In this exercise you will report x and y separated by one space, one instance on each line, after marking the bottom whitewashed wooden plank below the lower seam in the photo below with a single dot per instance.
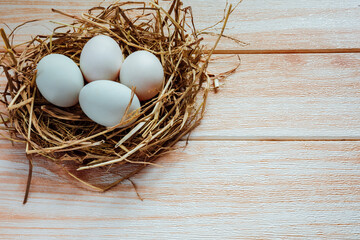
256 190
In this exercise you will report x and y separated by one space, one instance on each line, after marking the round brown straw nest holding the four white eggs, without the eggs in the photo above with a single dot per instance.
96 156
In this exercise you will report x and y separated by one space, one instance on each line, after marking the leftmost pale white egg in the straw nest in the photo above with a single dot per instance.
59 80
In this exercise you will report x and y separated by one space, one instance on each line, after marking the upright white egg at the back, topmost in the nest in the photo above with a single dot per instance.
101 58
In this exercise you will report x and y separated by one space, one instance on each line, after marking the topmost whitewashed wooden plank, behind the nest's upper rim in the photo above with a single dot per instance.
264 25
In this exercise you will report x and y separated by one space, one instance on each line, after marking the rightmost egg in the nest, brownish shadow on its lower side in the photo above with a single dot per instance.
144 71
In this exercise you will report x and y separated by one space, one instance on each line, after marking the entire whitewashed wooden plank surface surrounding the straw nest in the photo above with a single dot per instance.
276 157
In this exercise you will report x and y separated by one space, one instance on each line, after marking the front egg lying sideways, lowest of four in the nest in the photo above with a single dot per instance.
105 102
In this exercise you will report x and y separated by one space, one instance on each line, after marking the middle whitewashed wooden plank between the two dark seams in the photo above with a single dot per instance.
285 97
